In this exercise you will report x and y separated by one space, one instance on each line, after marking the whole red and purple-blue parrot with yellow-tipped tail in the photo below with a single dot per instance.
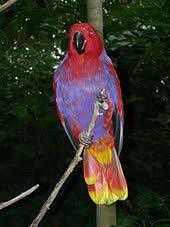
85 70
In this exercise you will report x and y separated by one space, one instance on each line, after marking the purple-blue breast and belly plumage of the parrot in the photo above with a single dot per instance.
76 99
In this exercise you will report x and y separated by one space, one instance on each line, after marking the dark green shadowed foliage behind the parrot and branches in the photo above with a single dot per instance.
33 146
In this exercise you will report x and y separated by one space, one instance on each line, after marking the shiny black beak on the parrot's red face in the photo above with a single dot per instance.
79 42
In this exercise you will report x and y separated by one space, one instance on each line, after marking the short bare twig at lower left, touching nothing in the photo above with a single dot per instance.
19 197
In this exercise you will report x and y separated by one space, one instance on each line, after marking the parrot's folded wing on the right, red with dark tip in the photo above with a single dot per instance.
118 113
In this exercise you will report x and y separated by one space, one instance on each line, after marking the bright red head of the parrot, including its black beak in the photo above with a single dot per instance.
84 41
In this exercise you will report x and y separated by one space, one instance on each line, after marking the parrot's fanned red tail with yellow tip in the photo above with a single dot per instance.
104 176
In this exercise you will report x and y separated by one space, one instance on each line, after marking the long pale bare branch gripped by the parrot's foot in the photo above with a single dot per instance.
100 103
